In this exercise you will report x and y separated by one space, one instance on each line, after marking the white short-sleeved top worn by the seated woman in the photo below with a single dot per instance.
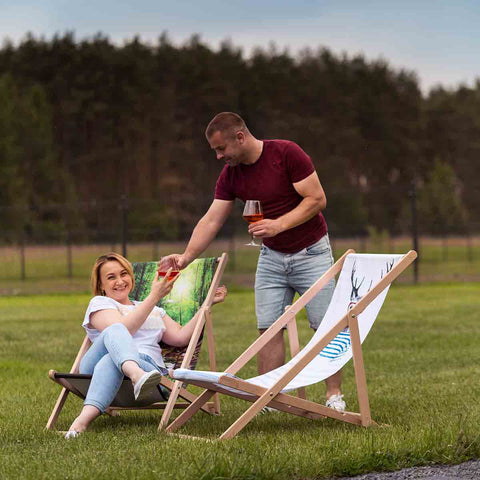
146 338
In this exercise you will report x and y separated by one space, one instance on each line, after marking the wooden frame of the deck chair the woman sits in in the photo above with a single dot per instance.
204 325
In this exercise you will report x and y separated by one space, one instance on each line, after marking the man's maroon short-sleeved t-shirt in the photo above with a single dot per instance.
270 179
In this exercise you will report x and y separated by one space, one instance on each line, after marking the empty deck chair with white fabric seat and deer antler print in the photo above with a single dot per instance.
359 294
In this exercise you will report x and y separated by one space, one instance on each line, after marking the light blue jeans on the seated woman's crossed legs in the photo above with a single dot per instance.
104 360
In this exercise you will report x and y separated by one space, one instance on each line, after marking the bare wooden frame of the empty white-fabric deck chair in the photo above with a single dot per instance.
300 406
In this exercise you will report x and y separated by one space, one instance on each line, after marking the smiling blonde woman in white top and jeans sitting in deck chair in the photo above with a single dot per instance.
125 336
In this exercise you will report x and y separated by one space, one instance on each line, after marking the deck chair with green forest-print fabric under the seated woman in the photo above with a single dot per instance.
192 294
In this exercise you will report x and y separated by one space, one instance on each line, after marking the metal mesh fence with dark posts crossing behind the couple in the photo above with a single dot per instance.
60 242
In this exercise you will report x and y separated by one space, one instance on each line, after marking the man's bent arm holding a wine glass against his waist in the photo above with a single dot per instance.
314 201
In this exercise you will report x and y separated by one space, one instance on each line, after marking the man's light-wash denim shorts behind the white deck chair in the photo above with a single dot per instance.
280 275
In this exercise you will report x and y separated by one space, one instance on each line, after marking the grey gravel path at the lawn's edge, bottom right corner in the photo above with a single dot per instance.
464 471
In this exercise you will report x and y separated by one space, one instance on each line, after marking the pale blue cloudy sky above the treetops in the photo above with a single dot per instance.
437 39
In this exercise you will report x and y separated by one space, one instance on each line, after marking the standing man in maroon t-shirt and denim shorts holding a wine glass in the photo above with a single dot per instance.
296 249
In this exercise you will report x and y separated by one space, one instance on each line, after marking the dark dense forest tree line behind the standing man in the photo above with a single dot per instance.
86 123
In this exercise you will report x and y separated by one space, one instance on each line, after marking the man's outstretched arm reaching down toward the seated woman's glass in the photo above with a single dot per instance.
203 234
